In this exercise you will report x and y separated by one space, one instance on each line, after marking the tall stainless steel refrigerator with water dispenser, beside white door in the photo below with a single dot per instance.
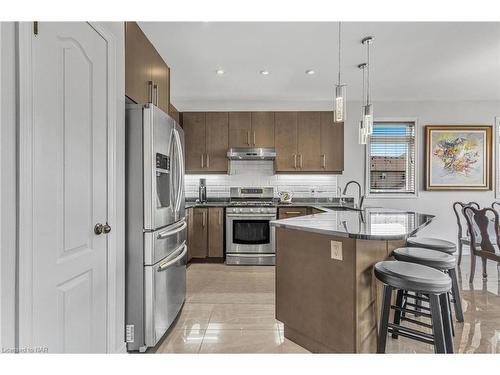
156 229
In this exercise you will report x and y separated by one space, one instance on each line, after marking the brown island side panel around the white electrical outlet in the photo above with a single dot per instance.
315 294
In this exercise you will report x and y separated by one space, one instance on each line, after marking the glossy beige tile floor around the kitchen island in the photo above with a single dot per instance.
230 309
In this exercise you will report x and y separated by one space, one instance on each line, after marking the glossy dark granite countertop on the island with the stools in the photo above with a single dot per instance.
368 224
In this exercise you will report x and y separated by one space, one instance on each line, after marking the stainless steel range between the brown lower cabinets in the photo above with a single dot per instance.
250 239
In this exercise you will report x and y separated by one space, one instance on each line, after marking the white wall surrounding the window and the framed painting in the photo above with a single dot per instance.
438 203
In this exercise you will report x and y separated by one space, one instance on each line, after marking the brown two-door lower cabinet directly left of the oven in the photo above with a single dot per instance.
205 233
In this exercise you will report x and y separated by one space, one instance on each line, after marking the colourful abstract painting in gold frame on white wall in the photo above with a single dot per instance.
458 157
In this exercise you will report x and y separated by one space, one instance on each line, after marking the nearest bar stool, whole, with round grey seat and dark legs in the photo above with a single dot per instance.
433 285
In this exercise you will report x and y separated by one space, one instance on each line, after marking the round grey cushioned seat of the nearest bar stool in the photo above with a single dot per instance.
413 277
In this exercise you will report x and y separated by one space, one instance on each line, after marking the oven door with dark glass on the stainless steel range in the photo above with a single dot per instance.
250 233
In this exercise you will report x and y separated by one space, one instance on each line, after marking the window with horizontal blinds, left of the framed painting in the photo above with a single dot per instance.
391 158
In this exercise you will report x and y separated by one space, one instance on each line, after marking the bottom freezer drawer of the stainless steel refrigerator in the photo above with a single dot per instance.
165 292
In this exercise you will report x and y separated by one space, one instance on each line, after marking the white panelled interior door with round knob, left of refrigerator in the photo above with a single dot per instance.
67 266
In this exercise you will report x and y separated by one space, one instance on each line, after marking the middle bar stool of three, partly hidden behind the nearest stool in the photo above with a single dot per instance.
438 260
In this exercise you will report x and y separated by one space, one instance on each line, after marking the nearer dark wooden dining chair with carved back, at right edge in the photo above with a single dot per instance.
483 225
